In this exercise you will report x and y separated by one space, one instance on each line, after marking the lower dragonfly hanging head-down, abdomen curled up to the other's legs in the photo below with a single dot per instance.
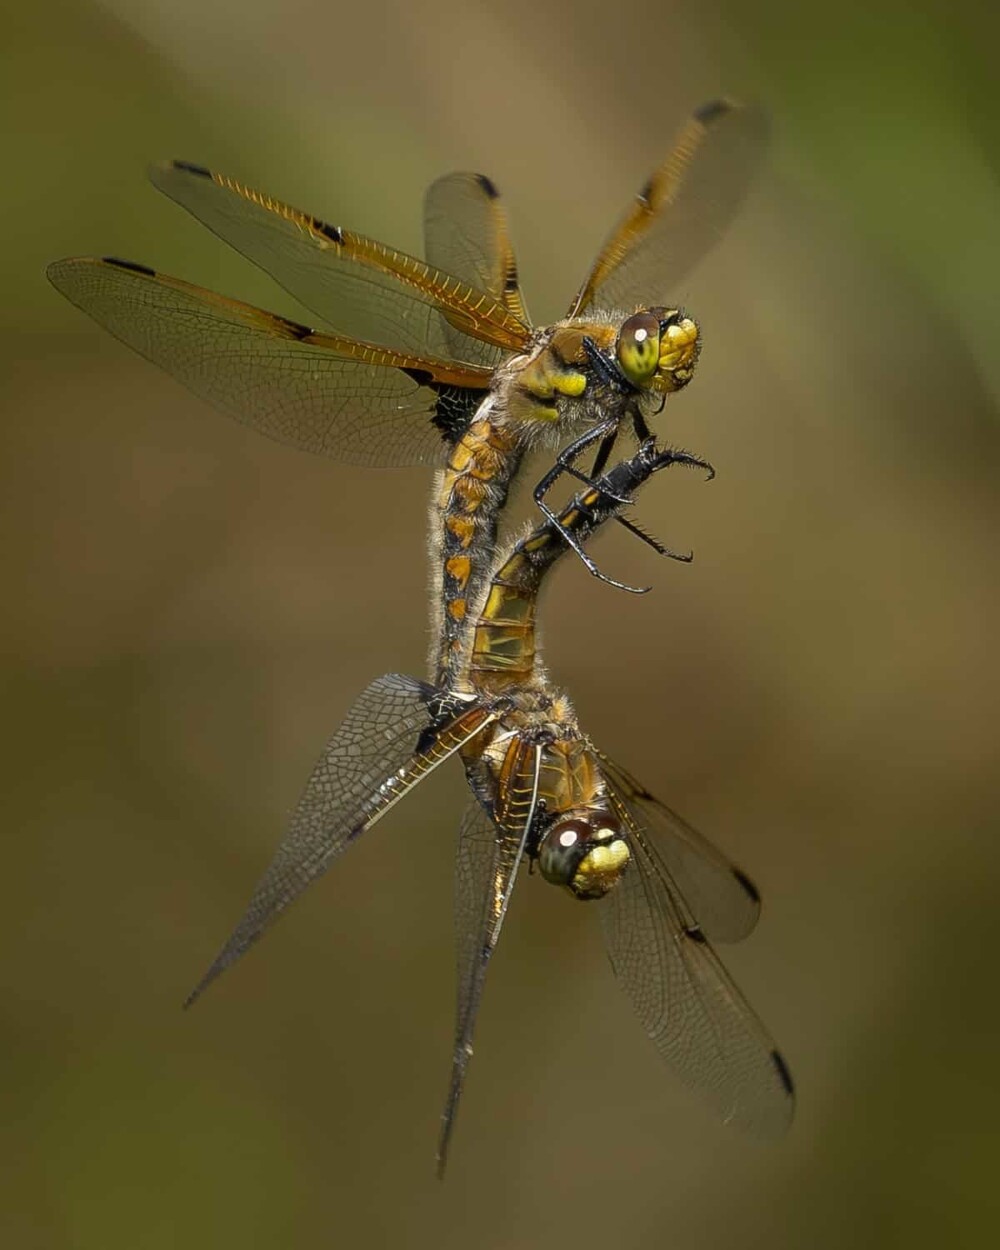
543 793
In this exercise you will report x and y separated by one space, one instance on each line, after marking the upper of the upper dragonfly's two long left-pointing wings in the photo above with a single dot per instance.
354 284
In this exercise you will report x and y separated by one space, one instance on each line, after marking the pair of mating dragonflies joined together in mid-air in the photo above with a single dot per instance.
434 362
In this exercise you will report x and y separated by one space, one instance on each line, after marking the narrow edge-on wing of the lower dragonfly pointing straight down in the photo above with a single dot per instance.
492 844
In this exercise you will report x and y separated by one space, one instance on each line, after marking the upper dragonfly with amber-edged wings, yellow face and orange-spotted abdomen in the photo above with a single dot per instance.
436 362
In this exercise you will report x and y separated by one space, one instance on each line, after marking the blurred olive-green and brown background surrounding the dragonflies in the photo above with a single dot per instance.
192 609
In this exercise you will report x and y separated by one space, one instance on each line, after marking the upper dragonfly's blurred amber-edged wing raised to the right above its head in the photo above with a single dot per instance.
682 212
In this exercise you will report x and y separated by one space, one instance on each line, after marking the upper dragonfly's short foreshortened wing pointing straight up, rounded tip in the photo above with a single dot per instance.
466 234
